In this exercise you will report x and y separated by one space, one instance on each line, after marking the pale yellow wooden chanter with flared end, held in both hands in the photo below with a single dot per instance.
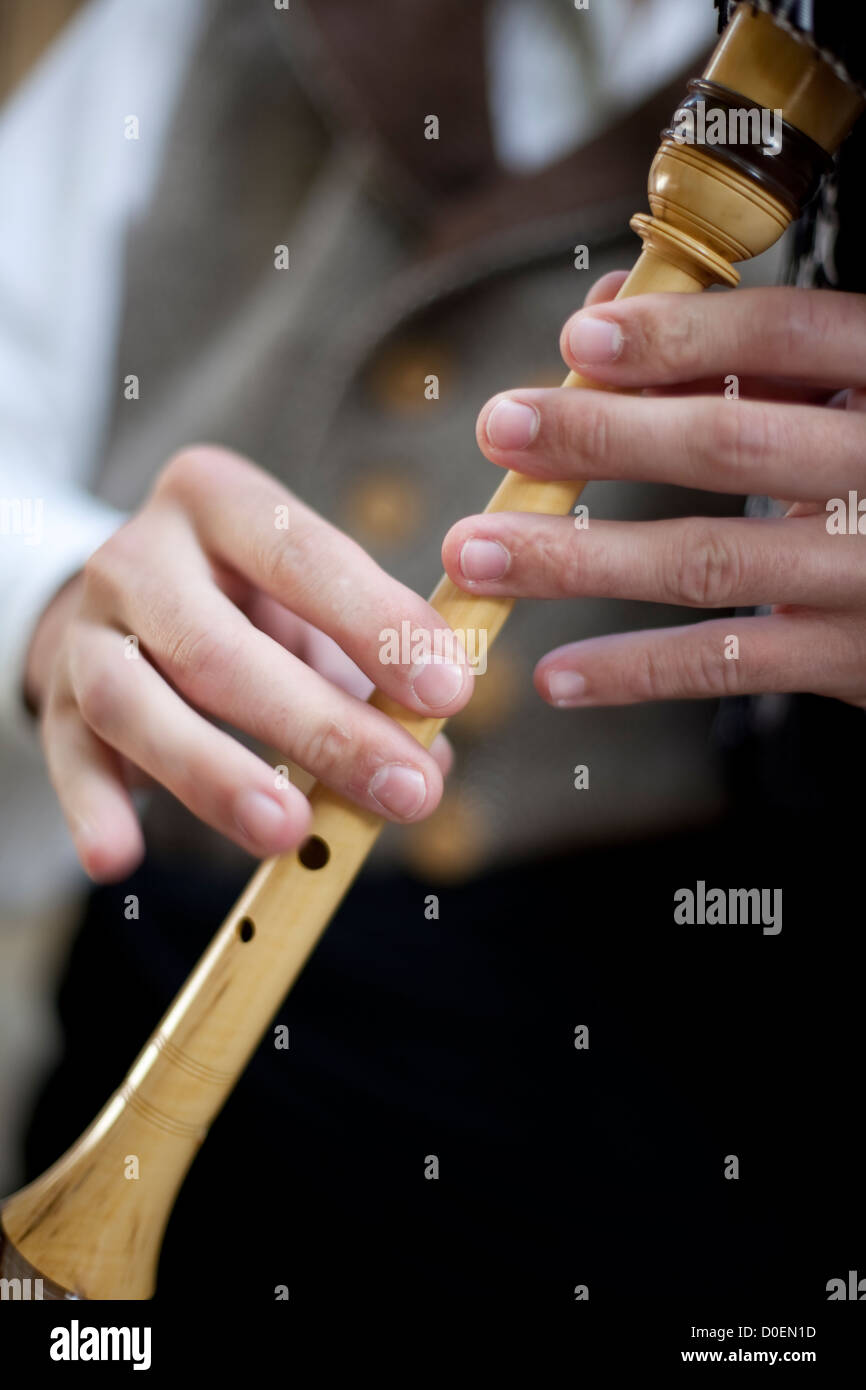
83 1227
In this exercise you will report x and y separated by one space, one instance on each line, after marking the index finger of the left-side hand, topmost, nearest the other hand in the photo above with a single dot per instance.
319 573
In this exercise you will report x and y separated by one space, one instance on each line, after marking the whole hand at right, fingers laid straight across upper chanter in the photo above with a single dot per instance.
793 351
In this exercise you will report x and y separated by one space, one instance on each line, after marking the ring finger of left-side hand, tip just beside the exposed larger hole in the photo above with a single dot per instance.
129 705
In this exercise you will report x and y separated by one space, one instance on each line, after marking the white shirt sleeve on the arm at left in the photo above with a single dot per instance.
81 148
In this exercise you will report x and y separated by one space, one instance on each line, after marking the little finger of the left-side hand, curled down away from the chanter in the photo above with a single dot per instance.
90 785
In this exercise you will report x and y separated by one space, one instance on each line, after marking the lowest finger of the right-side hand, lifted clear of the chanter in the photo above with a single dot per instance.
725 657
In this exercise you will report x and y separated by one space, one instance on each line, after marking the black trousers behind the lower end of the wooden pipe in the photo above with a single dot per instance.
455 1038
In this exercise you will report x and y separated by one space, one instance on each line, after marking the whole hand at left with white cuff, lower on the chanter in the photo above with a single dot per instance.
223 607
